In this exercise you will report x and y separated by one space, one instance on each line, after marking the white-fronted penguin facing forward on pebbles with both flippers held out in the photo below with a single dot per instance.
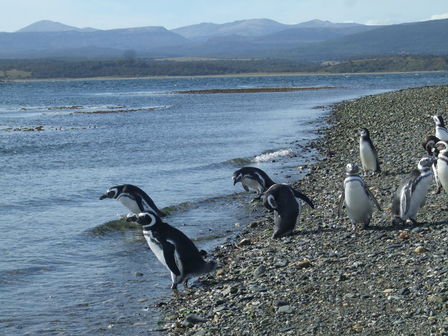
358 198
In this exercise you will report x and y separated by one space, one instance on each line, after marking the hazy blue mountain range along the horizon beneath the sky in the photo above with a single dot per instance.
314 40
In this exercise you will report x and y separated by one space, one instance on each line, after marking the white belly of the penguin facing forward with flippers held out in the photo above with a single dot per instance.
358 203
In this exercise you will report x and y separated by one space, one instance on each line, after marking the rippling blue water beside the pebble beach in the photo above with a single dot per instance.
68 267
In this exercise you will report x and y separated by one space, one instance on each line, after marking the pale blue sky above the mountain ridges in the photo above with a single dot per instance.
109 14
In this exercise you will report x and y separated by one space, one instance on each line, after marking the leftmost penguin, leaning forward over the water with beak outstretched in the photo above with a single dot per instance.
133 198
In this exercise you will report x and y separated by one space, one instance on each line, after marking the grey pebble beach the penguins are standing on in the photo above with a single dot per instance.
327 279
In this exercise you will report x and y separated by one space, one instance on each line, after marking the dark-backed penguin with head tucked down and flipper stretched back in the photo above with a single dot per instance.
285 201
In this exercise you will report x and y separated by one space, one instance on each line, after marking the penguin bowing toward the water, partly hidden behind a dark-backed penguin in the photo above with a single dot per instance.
253 179
